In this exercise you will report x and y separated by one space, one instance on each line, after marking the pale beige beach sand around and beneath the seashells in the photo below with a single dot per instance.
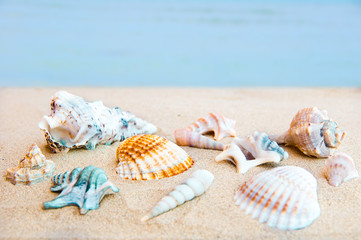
214 214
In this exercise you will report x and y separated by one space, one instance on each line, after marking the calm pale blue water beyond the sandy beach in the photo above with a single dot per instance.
180 43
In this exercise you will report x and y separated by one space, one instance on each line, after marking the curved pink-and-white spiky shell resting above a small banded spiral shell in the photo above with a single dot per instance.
216 123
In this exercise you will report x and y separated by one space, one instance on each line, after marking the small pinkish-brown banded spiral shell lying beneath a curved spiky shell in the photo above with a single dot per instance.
184 137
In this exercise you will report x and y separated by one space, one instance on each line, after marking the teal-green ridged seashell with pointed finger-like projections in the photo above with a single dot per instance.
82 187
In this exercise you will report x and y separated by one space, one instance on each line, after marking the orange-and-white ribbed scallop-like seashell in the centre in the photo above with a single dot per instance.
145 157
